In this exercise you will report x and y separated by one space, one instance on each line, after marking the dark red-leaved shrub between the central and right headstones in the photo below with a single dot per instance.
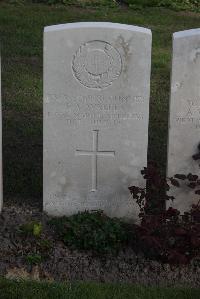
165 234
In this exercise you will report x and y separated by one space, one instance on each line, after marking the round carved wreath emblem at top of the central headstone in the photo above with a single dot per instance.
97 64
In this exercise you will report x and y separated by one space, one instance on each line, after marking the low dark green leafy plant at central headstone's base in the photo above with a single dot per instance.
91 231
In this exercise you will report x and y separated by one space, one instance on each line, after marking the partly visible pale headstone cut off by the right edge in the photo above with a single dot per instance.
184 122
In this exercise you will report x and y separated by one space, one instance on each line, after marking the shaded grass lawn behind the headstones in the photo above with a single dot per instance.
21 32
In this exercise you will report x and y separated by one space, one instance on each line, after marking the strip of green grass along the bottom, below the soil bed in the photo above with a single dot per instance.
33 290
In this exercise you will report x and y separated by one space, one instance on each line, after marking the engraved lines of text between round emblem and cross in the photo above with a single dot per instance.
96 109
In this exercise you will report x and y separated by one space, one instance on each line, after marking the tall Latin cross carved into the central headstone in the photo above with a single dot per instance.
95 153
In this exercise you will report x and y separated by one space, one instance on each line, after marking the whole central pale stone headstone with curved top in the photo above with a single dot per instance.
96 112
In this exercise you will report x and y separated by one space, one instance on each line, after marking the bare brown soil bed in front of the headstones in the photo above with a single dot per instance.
61 263
